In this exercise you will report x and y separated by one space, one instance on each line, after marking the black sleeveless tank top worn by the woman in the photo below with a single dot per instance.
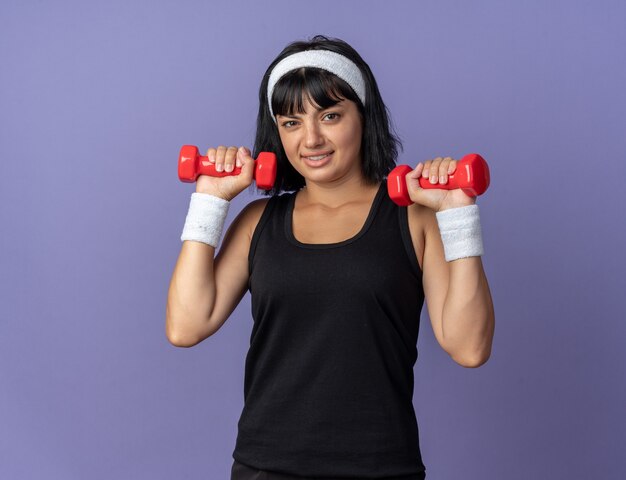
328 381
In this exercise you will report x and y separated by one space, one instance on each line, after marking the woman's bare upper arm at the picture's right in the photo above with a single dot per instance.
435 270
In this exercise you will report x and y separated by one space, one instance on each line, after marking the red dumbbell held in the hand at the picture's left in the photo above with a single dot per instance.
191 164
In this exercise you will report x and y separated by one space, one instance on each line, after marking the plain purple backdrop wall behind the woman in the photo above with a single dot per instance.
96 99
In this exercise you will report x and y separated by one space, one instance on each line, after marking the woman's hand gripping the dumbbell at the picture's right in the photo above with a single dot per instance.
437 199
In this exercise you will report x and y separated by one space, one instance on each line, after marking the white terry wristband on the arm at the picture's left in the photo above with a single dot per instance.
205 219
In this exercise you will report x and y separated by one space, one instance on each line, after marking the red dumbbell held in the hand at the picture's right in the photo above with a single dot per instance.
471 176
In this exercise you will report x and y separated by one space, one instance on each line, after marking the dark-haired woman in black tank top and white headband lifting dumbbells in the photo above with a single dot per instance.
337 272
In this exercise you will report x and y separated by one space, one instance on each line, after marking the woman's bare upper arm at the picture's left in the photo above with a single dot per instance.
231 264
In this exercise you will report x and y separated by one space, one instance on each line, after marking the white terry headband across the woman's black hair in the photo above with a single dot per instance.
333 62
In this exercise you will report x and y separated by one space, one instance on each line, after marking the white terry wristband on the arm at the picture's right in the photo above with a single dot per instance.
461 232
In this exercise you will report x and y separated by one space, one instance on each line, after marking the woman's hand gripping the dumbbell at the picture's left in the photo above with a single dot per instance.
226 159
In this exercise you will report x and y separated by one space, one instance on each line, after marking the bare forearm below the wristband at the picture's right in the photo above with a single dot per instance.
468 319
